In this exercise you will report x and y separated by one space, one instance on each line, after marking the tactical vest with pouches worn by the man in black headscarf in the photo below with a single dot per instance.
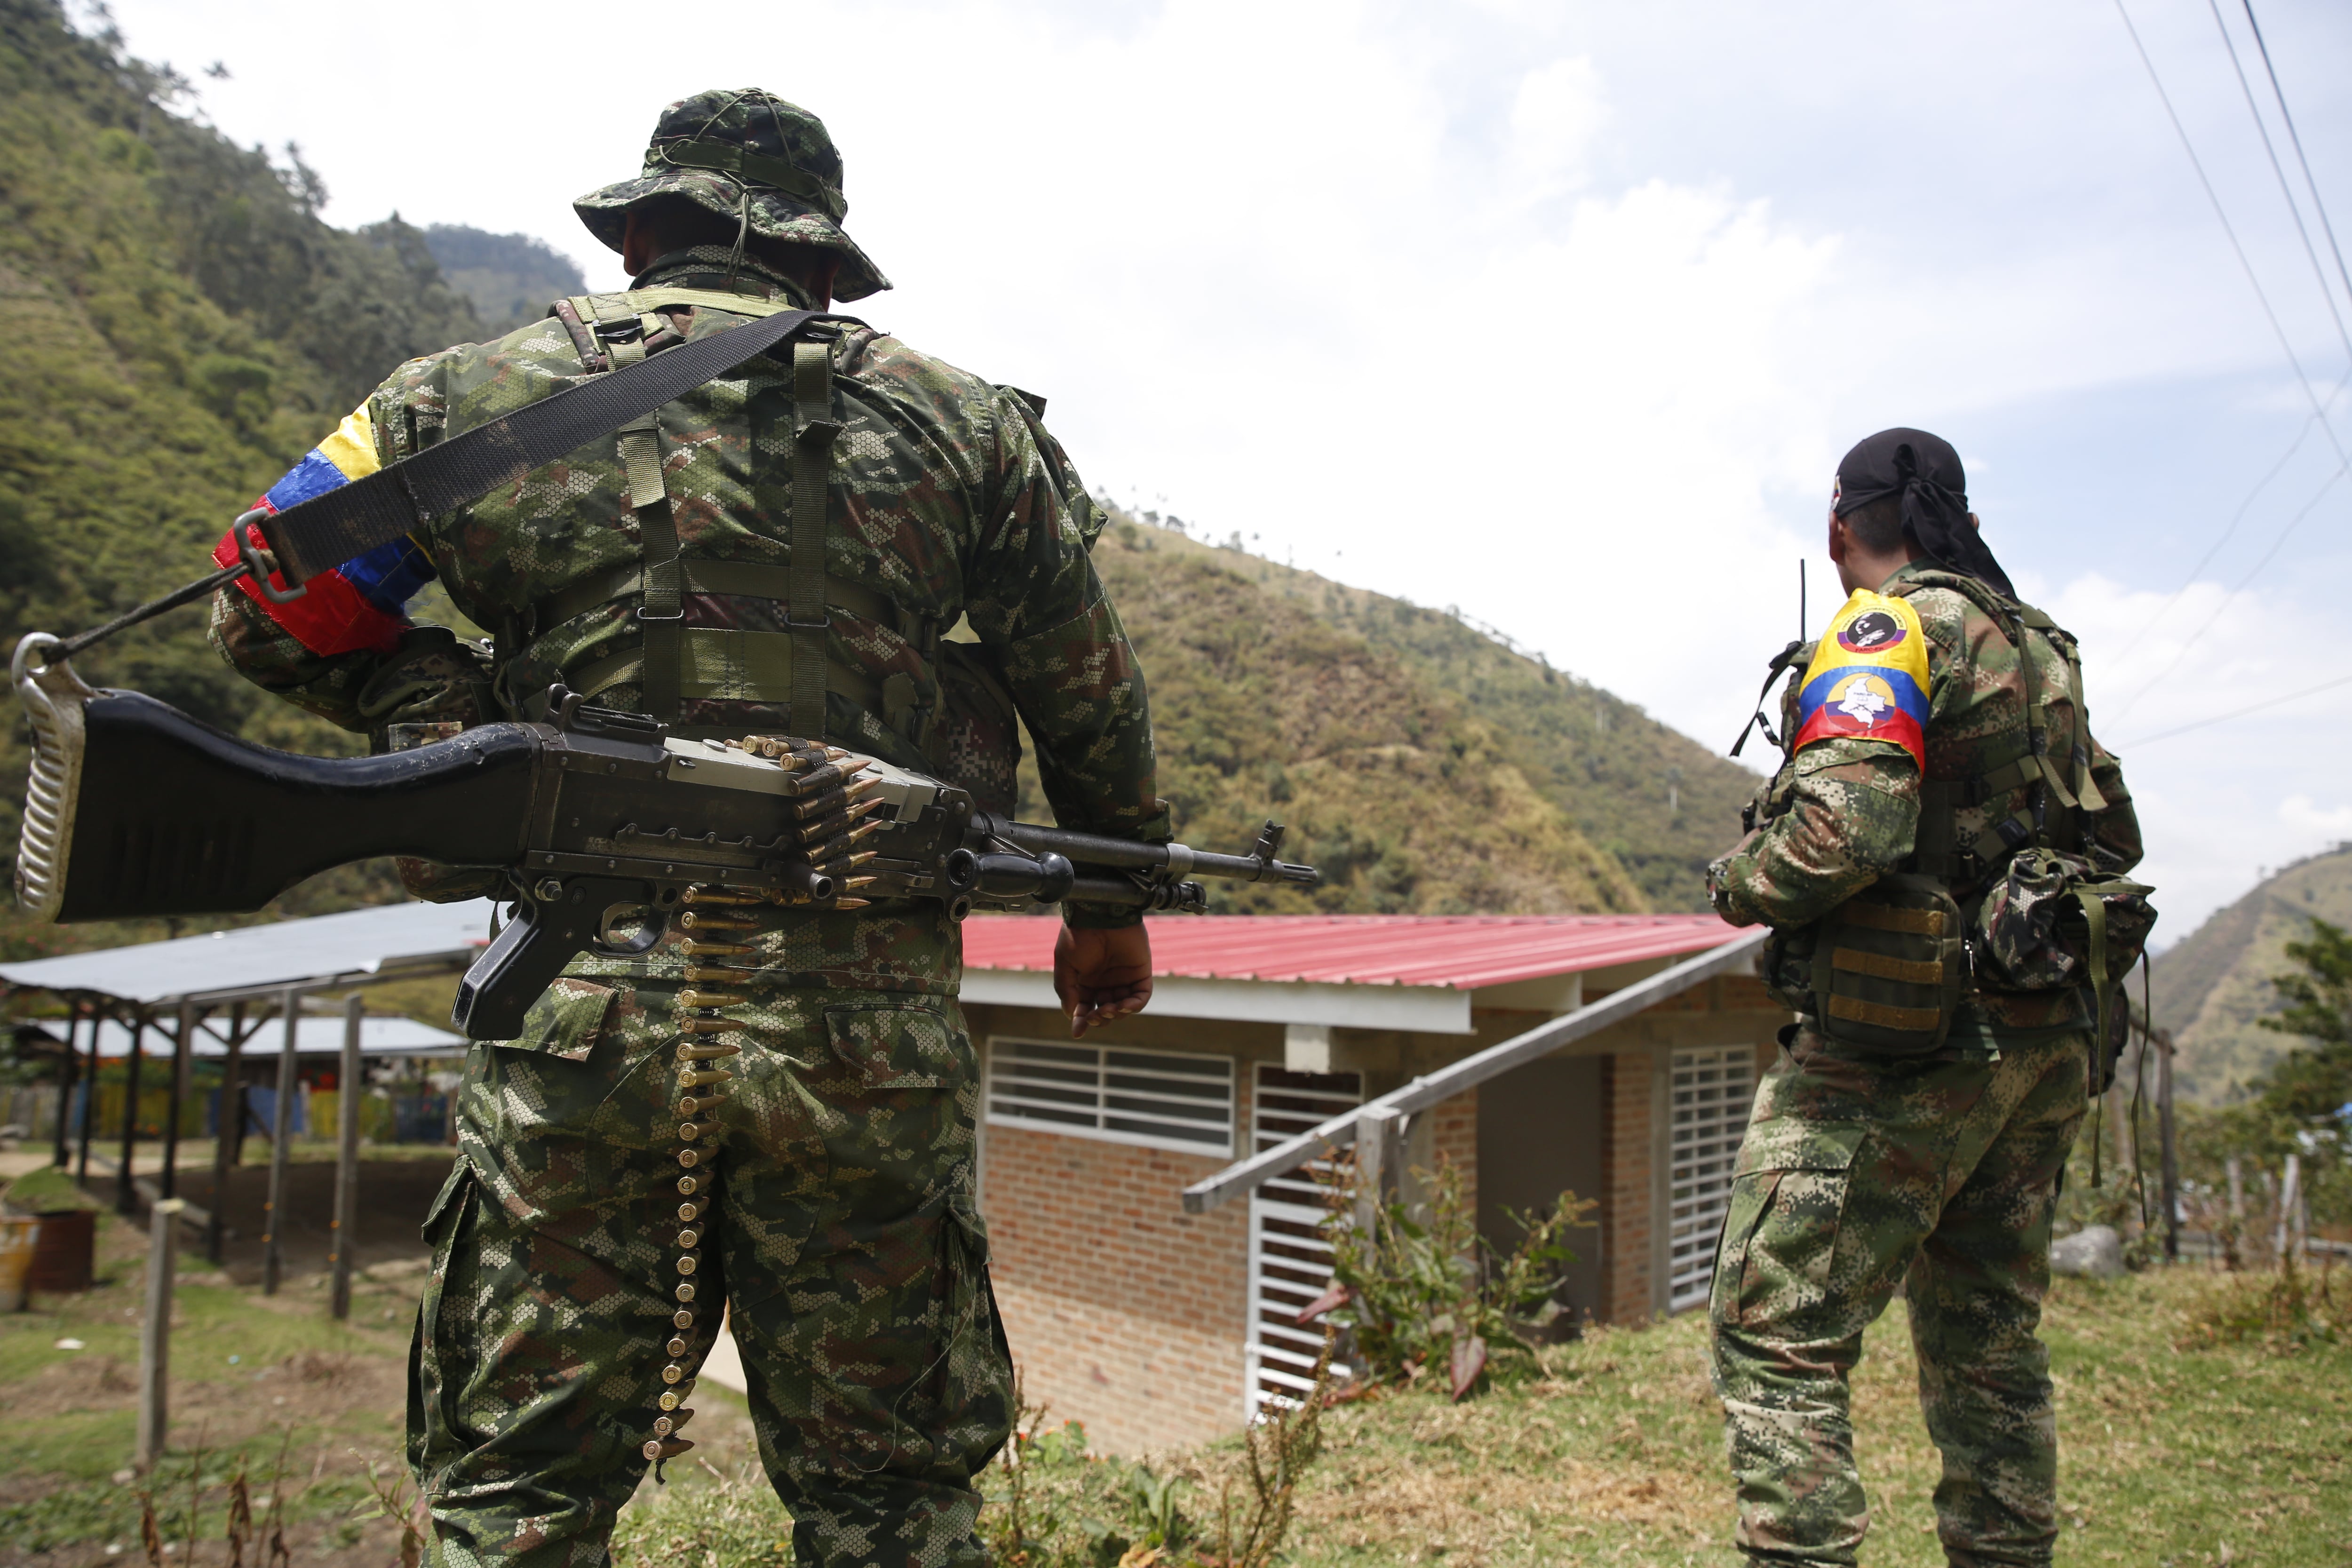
1892 965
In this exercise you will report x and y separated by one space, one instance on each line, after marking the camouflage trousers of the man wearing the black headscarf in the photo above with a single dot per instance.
1862 1177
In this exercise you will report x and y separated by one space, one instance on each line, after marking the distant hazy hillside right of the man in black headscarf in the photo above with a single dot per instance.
2212 986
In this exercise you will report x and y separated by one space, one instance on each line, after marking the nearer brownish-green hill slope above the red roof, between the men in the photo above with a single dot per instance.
1396 789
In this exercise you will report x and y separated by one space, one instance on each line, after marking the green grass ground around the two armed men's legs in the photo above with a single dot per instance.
2181 1447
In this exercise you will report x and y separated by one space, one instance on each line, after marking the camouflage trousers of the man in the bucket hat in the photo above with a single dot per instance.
615 1193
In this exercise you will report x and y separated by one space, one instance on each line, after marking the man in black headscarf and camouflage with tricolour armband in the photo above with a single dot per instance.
1942 859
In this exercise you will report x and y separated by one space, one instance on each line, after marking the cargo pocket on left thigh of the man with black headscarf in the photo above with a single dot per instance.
1789 1205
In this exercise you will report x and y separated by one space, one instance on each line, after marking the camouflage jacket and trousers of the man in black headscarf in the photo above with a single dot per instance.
1937 1174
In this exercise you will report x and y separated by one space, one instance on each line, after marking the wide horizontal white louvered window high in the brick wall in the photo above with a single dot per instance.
1158 1099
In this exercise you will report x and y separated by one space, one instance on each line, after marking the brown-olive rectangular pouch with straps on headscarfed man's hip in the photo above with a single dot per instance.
1890 967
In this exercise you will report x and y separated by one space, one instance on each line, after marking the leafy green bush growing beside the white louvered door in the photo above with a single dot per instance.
1431 1292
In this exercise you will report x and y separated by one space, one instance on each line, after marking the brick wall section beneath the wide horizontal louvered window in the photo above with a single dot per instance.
1123 1311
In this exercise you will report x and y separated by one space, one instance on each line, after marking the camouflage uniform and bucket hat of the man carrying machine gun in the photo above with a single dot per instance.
780 1120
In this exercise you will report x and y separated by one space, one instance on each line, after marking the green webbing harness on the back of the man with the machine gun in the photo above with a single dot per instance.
676 662
